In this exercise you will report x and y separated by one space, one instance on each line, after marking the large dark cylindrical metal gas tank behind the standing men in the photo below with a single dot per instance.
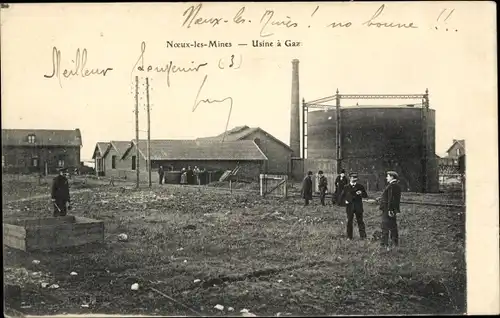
377 139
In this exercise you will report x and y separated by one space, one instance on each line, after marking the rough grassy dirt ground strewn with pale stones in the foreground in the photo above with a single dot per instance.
192 248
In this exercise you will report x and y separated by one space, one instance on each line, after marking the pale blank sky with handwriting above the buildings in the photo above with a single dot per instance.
365 60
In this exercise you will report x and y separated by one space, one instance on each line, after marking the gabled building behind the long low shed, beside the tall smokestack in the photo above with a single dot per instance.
277 152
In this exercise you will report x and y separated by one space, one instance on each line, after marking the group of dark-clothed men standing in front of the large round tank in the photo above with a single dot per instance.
350 193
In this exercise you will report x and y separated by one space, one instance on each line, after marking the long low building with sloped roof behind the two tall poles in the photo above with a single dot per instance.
177 154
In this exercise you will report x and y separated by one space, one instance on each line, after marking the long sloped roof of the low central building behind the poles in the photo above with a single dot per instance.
243 150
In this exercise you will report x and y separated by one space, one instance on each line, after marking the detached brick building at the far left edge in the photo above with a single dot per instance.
40 150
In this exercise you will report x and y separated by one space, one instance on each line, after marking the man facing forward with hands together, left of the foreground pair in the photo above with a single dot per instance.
352 195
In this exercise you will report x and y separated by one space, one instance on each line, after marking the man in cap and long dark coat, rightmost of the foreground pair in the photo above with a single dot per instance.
389 206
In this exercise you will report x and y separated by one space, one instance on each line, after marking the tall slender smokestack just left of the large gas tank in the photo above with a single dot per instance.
295 111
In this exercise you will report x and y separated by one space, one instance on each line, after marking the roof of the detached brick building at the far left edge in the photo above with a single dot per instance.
43 137
